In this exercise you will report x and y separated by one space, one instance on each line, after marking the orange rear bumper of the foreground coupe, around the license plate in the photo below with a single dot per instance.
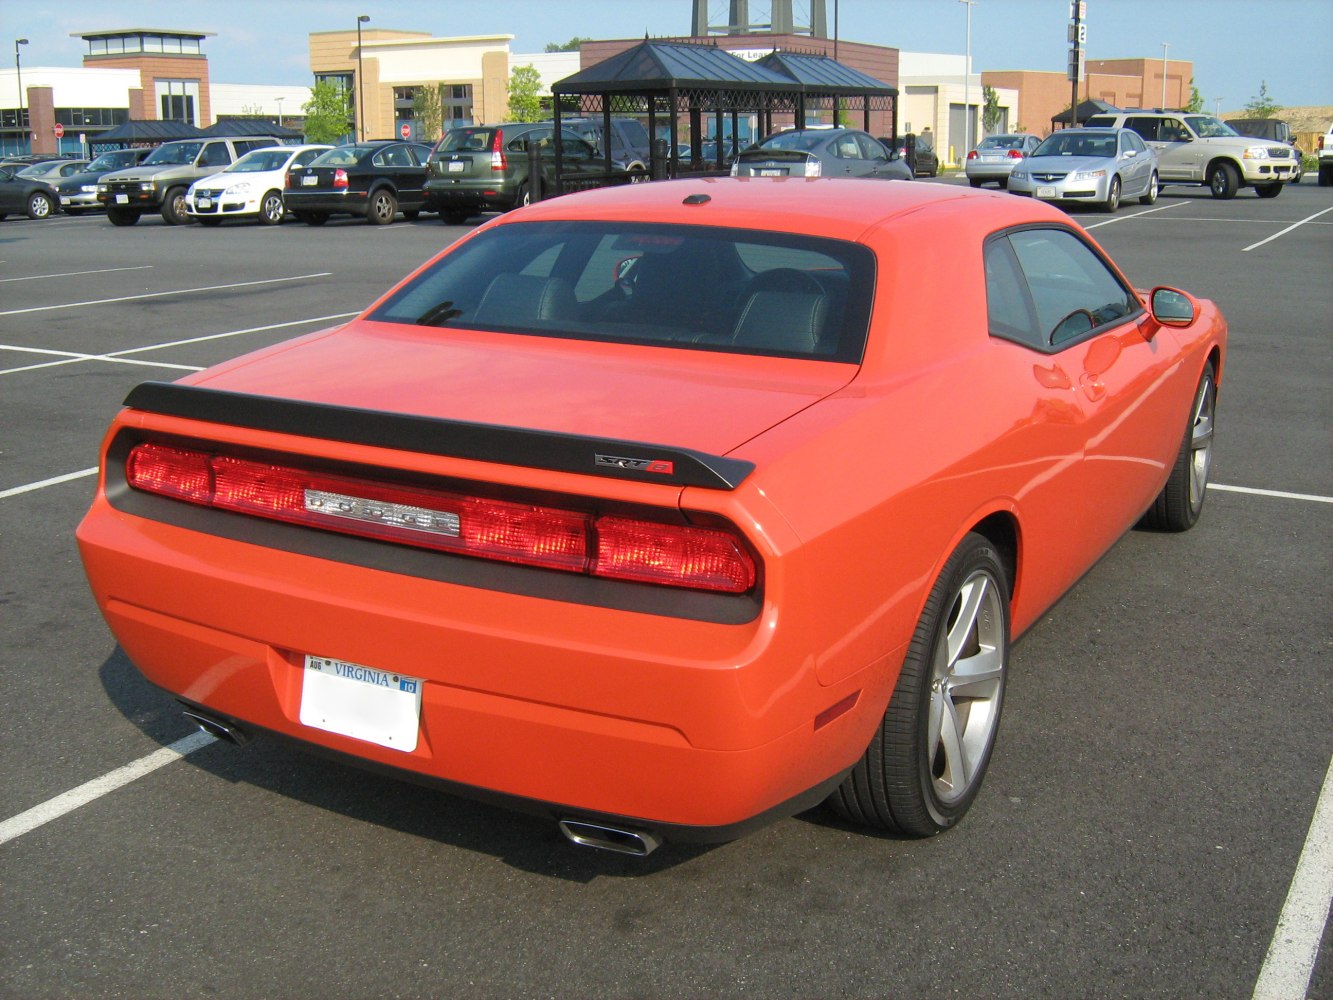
692 729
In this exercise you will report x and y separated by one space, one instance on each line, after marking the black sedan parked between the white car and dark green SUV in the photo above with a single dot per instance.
375 181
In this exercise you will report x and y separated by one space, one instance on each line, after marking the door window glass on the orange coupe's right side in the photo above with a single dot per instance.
1074 291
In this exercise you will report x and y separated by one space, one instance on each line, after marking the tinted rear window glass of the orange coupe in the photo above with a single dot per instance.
696 289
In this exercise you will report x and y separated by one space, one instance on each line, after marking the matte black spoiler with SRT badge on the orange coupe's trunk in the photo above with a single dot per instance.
591 457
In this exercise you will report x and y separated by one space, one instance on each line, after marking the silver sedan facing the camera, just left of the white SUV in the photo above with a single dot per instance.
1100 166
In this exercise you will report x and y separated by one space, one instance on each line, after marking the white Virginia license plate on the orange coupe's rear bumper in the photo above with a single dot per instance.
362 702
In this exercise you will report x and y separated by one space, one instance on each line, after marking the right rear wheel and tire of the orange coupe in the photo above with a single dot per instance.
926 765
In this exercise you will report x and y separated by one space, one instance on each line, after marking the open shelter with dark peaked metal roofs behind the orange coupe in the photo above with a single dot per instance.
671 79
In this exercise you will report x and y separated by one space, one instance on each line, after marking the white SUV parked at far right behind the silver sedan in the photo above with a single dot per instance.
1203 150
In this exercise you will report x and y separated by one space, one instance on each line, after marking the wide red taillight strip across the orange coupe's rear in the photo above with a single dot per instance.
614 547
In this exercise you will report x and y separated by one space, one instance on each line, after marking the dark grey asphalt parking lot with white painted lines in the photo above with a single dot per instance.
1152 823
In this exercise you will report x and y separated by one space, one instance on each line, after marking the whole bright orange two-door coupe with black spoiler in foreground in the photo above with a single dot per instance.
665 510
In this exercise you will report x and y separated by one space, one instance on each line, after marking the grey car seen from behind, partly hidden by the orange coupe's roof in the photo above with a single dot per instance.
820 153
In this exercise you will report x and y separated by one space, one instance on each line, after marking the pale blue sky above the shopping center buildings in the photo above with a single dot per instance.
1234 45
